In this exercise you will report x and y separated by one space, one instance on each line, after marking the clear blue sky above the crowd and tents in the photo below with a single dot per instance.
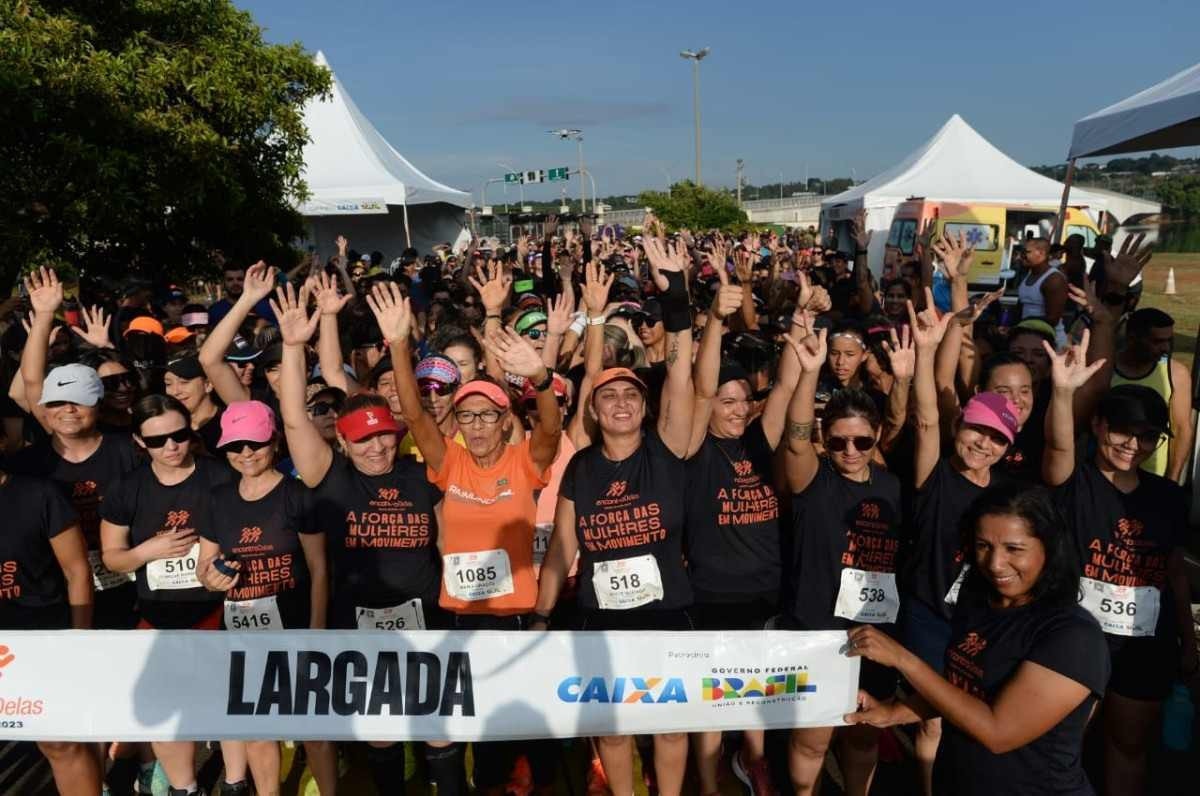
467 91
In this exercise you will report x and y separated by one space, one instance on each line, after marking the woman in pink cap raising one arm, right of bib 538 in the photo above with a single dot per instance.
946 486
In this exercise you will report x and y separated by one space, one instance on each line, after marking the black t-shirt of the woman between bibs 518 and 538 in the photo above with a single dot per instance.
733 519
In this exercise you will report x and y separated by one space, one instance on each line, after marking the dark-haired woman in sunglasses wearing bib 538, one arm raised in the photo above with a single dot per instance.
847 522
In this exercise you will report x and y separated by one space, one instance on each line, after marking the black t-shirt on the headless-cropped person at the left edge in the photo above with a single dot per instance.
34 512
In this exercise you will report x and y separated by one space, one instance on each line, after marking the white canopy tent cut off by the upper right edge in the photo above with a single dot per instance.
1162 117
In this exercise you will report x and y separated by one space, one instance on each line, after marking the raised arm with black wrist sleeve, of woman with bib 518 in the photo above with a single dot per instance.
679 404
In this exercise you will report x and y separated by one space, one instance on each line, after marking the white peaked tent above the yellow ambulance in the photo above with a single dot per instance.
957 165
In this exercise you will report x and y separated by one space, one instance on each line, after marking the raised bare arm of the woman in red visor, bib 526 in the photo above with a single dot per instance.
310 453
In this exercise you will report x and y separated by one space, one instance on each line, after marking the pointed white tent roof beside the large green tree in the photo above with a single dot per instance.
350 167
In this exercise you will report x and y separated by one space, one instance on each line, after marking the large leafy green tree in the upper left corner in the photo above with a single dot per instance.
142 136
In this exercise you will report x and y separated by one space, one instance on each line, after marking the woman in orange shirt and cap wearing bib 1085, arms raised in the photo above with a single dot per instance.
489 510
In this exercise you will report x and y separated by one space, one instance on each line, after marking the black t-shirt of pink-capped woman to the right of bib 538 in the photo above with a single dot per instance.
938 556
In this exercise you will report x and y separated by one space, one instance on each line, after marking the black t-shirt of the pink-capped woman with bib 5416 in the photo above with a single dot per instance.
265 537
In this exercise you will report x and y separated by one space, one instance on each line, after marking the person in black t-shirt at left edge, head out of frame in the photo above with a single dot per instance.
46 585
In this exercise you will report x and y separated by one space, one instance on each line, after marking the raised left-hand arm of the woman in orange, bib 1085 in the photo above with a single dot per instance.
394 314
